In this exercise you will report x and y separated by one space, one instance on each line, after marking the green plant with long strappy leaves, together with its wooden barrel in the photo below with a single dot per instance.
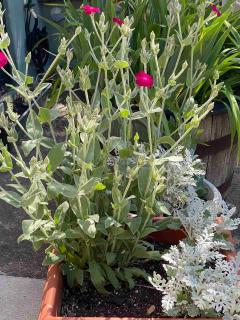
200 23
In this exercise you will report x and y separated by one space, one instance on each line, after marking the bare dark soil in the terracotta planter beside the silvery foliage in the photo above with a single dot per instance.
144 300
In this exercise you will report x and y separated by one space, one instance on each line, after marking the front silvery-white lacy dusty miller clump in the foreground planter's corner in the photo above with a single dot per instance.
200 281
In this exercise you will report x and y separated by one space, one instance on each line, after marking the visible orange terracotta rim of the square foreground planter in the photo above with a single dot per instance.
51 300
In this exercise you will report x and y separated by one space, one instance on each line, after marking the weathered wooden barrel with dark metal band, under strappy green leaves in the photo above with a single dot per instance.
216 151
